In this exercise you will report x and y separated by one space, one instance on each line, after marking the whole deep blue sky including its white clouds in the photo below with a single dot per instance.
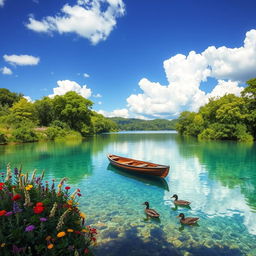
143 59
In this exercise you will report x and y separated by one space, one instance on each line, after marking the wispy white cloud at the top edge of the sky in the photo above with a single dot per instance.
91 19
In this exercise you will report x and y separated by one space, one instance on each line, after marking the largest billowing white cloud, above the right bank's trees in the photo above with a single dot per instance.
229 66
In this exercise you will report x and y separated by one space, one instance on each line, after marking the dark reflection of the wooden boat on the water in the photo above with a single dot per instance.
153 181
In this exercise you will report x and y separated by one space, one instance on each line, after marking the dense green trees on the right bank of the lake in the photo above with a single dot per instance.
226 118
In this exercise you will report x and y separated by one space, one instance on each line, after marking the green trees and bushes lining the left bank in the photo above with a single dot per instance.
63 117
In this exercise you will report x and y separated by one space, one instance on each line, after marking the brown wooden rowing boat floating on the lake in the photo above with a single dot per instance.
138 166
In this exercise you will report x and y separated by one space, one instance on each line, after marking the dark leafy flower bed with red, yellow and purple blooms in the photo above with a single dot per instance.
40 218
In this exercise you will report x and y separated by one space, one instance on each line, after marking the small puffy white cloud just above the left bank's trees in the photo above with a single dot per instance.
65 86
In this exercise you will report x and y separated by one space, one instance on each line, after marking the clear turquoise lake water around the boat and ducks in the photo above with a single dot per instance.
219 178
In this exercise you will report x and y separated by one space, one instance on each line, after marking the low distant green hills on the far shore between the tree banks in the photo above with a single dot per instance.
133 124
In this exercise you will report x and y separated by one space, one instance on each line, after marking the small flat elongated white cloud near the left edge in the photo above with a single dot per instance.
21 60
